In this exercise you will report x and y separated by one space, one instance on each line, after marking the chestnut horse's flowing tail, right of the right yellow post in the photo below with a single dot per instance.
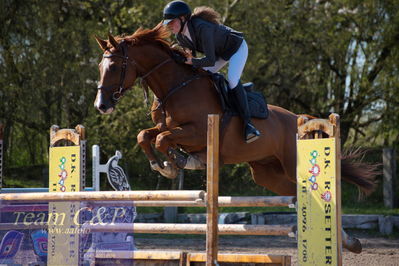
359 173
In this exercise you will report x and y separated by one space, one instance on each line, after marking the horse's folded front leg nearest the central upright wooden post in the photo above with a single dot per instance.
187 136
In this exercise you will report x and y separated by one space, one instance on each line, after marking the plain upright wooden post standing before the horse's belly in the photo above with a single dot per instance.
212 190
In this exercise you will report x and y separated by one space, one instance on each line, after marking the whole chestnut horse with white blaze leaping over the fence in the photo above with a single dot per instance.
184 96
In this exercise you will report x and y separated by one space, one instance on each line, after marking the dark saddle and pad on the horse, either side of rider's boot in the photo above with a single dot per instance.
256 101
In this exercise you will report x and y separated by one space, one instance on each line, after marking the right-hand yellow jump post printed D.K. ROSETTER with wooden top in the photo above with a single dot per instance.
319 191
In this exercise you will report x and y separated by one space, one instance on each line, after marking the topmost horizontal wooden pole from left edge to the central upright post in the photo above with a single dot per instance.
106 196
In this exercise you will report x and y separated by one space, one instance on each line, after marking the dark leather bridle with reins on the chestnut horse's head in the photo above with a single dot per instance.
125 60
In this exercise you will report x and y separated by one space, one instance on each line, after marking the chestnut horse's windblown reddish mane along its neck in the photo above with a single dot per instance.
158 35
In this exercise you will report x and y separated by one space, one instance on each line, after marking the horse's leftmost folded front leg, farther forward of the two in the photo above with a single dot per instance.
145 138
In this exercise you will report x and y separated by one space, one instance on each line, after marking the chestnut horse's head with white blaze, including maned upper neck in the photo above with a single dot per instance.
125 59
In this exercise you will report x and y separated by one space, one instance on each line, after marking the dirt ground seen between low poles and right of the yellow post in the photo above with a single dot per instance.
377 251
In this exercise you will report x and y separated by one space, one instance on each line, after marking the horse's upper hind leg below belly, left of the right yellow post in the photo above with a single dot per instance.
271 176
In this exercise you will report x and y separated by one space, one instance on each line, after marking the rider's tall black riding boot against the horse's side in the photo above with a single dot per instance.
250 132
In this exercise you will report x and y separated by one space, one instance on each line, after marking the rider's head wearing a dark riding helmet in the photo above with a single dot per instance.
175 14
